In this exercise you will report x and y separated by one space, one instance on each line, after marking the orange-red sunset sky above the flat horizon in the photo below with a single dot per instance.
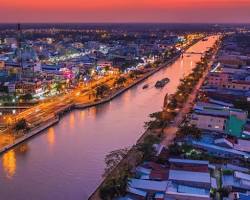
125 11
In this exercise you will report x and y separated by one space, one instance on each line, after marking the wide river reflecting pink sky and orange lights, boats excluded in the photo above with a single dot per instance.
66 161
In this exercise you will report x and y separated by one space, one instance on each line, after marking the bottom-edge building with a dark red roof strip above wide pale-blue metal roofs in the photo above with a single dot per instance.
189 180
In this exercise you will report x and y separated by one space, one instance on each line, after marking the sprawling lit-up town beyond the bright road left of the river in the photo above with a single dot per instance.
36 61
